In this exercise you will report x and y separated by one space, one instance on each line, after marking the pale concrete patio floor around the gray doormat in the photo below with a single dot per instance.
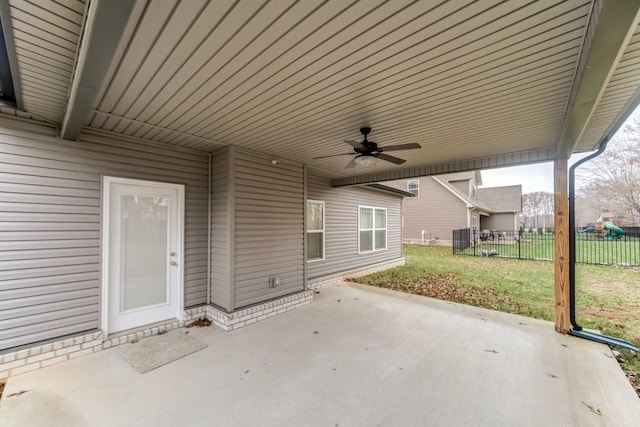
357 356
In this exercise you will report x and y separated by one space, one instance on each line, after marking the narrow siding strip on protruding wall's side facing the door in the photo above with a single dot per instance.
221 237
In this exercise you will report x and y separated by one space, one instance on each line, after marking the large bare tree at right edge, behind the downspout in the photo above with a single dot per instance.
611 181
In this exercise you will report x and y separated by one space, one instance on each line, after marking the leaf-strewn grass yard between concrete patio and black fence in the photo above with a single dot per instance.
607 297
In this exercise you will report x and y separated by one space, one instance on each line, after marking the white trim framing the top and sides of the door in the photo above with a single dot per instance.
107 182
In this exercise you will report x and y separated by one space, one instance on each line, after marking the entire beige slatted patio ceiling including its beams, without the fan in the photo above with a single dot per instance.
477 84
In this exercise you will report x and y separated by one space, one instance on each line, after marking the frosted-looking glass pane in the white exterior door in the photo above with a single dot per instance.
144 251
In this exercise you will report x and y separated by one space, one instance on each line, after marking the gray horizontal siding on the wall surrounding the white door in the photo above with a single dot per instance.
50 221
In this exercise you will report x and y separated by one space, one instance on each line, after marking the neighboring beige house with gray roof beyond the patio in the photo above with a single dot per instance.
443 203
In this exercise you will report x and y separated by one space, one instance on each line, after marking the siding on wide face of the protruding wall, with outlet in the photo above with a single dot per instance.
268 228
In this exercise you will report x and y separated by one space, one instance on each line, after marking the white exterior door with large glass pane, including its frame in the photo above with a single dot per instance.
142 253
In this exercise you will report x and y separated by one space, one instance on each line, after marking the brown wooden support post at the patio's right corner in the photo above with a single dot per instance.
561 230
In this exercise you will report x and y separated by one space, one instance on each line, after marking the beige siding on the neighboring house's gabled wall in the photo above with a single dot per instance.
437 211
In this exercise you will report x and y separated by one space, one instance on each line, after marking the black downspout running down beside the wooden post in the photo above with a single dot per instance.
576 329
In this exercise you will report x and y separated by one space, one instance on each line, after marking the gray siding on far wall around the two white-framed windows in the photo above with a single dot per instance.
341 226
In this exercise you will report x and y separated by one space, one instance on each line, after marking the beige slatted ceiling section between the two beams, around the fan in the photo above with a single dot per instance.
294 79
